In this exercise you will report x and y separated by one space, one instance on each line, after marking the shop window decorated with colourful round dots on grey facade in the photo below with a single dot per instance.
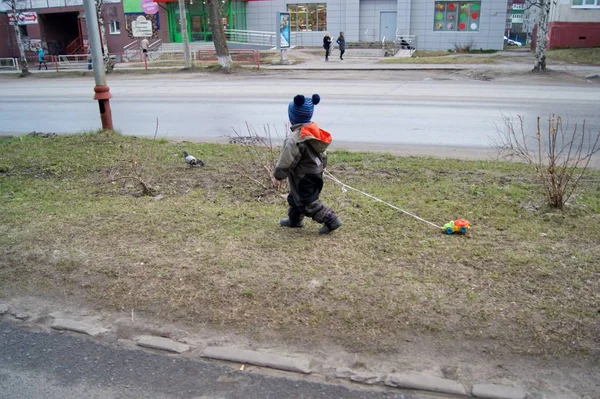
461 16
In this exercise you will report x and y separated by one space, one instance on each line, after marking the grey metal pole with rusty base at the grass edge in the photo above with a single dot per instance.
101 89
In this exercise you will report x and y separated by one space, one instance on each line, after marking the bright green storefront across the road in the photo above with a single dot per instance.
233 16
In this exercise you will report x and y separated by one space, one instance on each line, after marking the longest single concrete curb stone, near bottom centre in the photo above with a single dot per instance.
231 354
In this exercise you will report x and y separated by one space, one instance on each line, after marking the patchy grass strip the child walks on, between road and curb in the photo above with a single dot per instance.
211 249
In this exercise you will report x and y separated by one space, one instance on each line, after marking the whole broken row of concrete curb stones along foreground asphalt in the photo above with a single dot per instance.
90 325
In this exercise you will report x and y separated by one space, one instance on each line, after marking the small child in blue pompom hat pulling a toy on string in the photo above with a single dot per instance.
302 161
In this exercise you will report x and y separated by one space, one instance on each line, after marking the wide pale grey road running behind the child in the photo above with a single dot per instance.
462 113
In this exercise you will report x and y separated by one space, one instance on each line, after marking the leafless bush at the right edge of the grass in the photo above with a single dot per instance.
561 158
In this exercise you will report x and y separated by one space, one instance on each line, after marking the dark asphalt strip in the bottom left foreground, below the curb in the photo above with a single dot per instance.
37 365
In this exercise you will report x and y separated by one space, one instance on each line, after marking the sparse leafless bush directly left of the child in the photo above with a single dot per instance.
262 154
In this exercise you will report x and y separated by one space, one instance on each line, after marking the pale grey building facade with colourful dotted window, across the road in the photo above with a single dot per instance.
439 25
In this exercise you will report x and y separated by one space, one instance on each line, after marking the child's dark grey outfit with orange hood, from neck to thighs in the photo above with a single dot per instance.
302 161
